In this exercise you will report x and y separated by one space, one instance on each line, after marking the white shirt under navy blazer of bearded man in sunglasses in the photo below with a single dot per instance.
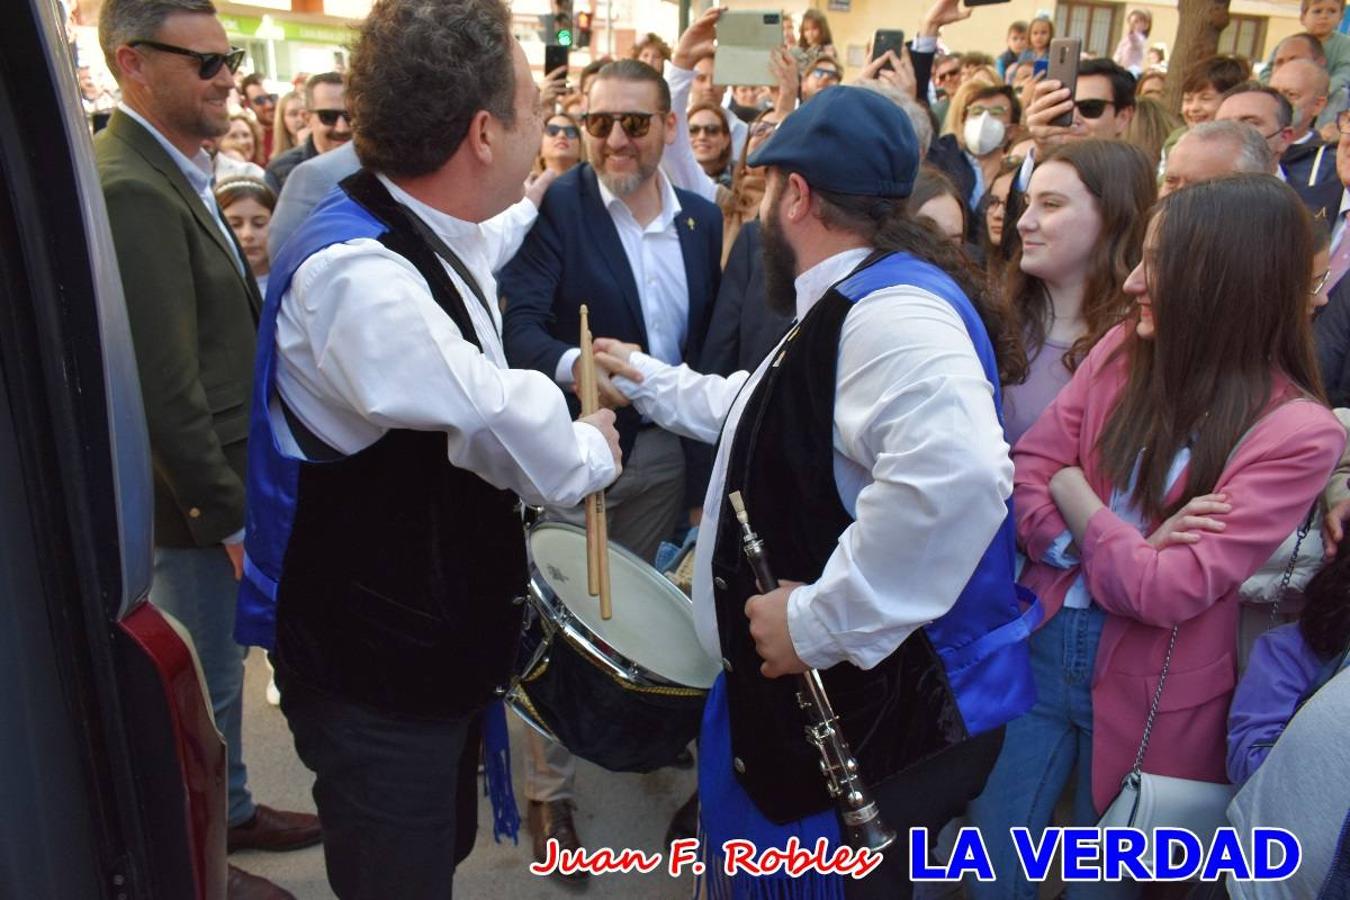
658 265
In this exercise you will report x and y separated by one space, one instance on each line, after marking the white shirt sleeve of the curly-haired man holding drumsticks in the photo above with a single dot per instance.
384 350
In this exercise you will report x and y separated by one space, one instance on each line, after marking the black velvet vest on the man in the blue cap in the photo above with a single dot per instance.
782 461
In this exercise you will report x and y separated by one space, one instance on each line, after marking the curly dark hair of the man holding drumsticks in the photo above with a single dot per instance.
421 72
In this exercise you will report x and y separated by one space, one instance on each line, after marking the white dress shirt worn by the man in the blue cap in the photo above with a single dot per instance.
920 463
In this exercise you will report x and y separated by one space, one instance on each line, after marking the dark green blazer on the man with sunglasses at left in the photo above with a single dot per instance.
194 323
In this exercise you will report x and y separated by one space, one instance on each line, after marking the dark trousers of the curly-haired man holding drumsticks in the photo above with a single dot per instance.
396 797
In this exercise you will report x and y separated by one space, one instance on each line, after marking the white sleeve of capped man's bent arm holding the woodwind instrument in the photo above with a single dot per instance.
913 408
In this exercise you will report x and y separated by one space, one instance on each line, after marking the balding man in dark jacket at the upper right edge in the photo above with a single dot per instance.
1309 163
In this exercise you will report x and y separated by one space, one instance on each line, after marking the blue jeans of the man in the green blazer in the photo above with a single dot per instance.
198 588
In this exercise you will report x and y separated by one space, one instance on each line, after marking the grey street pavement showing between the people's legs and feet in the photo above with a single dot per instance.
614 810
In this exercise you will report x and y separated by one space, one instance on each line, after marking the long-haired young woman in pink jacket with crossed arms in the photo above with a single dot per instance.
1187 447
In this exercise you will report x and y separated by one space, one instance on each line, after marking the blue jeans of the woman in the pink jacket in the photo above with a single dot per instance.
1040 751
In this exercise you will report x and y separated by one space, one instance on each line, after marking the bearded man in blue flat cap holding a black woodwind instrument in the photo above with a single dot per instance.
897 573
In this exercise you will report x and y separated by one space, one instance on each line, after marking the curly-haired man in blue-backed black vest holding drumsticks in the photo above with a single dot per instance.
391 446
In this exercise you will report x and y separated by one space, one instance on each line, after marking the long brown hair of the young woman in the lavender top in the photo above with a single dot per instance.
1121 180
